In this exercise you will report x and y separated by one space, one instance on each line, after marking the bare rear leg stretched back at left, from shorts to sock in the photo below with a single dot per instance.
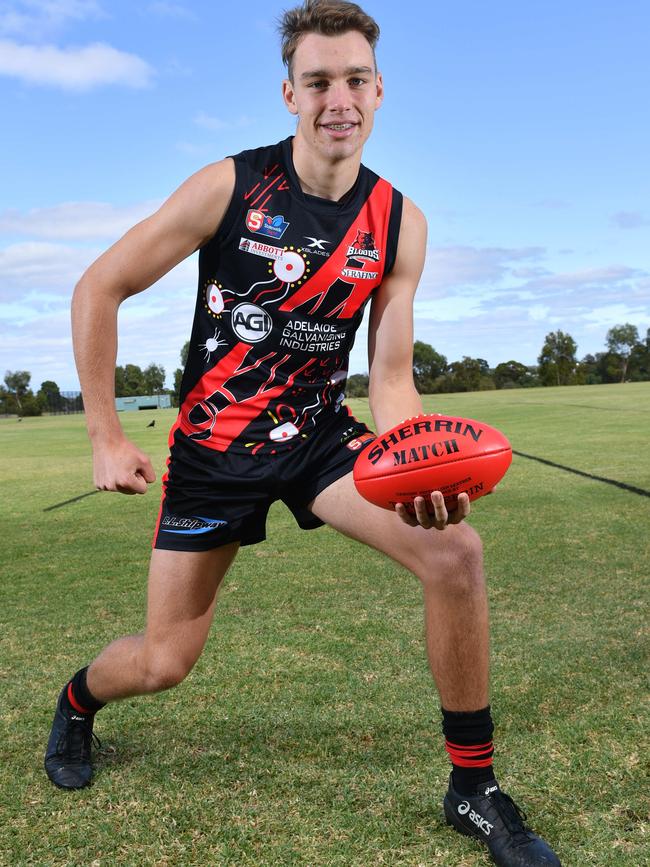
181 597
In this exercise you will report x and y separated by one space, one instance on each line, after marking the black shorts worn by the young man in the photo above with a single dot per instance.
213 498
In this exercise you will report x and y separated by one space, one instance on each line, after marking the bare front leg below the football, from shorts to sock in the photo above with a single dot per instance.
449 565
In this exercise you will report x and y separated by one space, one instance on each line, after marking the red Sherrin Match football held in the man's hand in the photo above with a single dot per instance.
432 453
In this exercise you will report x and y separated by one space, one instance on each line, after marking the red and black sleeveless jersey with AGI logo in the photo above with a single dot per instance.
282 288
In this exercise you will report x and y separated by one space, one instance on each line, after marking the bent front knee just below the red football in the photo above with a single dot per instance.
453 561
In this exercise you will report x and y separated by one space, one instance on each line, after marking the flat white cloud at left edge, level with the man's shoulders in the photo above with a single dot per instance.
76 221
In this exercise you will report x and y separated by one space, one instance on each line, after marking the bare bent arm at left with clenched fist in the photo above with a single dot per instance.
148 251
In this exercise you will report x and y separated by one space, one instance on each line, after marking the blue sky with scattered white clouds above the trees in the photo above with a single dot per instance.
521 129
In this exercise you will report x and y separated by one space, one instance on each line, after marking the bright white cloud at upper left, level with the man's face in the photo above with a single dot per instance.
78 69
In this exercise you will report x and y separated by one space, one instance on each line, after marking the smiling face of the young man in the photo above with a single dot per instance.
335 93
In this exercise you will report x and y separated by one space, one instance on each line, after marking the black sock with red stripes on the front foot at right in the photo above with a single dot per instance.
468 740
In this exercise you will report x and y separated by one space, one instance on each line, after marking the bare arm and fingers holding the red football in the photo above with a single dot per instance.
393 396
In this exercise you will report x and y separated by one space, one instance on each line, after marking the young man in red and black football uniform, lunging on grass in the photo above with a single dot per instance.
295 238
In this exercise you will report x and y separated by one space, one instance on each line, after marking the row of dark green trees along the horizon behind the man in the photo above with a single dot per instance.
626 357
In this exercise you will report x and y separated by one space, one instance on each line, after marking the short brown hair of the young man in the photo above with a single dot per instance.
327 17
